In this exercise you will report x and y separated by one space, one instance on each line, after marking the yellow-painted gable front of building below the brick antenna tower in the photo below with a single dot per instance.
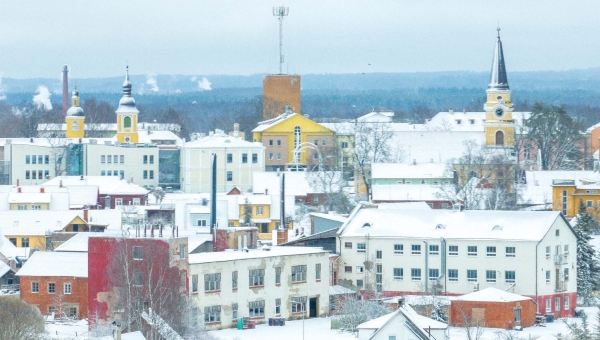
286 128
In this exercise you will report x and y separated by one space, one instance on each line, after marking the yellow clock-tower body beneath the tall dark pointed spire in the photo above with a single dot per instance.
499 126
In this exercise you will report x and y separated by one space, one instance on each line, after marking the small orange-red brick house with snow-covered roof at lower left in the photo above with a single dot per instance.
56 282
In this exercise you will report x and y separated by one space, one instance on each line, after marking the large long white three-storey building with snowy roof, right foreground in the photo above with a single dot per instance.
402 252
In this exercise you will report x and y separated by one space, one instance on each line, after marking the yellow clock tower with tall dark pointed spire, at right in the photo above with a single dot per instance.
499 126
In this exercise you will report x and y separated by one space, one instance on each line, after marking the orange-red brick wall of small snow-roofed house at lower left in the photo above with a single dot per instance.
43 300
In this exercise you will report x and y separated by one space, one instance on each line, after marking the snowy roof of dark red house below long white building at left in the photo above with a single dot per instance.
107 185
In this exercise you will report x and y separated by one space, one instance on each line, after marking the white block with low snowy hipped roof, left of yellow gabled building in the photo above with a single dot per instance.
237 159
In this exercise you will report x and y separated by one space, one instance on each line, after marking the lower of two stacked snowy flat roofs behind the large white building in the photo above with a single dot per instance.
406 192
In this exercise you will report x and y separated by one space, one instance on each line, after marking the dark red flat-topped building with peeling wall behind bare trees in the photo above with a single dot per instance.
132 274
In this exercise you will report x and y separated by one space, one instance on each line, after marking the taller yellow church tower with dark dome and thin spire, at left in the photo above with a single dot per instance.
127 115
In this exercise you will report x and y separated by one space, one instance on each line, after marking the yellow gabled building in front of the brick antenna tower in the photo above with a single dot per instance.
294 141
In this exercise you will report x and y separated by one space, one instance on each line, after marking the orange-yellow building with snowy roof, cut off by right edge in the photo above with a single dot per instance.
568 193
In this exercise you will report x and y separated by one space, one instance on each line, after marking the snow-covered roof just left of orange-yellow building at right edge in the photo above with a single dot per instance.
538 186
